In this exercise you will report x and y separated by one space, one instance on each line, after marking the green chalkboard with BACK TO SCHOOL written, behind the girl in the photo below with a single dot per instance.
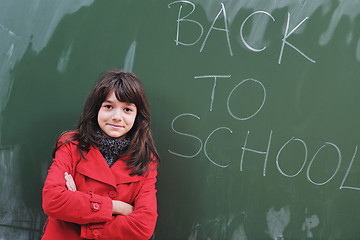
255 109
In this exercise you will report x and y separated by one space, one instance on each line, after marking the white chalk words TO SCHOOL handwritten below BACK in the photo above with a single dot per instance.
245 148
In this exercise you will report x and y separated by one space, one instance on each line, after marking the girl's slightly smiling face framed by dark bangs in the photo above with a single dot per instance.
116 118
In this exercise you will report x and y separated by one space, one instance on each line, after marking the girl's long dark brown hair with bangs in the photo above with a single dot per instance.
127 88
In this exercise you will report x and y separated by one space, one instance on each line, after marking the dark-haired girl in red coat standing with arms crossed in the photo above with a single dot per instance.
101 184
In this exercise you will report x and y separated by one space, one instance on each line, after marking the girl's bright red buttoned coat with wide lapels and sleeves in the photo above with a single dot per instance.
87 212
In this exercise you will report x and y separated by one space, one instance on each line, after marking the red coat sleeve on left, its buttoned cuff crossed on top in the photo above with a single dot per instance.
63 204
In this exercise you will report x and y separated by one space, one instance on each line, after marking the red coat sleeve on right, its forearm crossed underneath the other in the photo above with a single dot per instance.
140 224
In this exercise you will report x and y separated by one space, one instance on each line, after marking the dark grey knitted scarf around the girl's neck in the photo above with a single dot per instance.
111 148
